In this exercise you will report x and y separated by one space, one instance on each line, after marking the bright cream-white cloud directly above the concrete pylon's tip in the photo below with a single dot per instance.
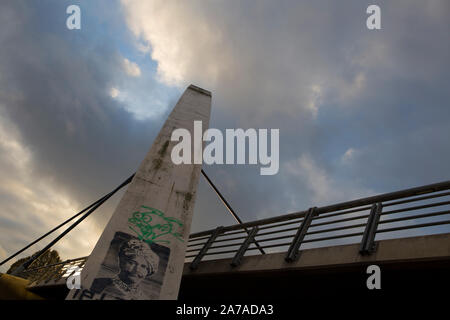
183 40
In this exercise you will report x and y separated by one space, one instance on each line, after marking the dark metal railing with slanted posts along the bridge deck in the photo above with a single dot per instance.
410 212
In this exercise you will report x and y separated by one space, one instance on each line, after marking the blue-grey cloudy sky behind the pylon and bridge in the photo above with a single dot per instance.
360 112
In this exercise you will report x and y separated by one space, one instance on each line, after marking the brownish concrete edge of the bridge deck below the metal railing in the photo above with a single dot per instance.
415 249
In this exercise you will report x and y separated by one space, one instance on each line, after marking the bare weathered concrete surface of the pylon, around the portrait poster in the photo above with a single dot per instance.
158 184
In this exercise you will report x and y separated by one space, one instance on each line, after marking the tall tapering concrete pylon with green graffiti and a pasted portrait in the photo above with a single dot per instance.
140 254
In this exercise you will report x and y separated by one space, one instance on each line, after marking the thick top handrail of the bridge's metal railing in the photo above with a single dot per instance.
445 185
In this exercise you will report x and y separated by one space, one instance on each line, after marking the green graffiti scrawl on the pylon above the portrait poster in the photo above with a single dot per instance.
151 225
